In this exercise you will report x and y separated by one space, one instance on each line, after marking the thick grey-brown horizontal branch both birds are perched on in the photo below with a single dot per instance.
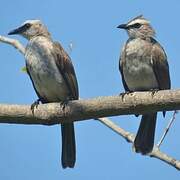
52 113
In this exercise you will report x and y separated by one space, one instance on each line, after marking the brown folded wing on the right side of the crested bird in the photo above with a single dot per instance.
160 66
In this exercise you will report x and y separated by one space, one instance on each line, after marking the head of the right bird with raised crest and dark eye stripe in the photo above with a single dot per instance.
139 27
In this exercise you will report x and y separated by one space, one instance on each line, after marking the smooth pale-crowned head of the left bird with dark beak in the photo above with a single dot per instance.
30 29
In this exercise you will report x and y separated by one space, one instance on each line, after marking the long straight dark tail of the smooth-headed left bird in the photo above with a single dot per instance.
68 157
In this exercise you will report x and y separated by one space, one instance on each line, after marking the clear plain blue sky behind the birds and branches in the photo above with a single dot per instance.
33 152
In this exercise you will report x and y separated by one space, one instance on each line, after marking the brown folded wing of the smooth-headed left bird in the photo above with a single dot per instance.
66 68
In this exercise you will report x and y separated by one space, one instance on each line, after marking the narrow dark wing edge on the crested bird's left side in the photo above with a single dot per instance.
121 64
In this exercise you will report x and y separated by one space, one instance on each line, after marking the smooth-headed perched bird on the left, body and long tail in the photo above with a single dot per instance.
53 77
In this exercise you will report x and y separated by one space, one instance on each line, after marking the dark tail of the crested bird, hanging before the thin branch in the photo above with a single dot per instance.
144 140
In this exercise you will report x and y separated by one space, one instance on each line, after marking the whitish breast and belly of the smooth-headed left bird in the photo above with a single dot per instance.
45 75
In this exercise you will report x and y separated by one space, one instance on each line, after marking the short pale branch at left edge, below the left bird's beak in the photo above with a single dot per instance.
13 42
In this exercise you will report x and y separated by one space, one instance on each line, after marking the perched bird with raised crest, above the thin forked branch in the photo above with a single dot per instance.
143 66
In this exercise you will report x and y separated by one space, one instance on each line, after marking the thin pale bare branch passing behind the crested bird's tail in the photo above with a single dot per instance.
156 153
